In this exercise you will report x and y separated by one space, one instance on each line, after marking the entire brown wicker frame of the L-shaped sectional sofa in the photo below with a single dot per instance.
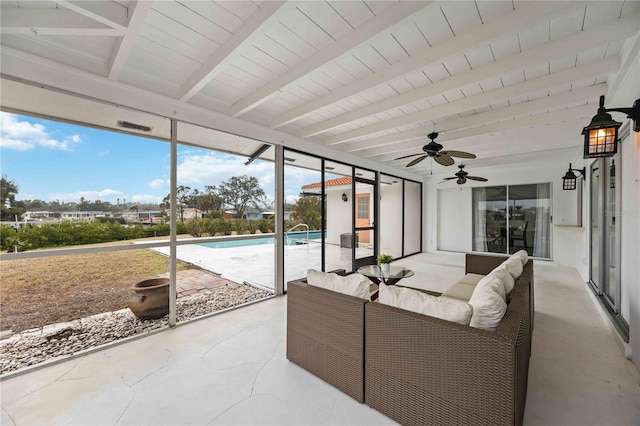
414 368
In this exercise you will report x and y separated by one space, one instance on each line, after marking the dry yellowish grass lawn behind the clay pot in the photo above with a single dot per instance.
37 292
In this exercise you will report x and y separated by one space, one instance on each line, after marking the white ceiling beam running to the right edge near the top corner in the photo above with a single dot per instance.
617 29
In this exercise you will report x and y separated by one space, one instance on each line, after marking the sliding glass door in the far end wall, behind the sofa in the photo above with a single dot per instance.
511 218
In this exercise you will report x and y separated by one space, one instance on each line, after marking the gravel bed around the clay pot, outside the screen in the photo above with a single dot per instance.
35 346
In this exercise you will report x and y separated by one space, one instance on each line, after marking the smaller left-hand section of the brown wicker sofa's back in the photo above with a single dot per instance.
325 335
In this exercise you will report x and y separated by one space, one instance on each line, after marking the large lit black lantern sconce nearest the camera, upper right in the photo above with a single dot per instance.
601 135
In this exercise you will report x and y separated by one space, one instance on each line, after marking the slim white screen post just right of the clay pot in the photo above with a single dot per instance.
173 248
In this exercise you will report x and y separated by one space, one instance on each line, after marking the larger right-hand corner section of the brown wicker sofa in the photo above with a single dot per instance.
423 370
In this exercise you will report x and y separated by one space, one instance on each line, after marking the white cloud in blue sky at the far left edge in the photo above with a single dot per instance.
23 136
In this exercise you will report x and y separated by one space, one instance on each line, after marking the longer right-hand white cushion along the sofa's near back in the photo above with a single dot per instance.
453 310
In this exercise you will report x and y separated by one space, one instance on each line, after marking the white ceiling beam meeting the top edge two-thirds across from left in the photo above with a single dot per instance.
386 21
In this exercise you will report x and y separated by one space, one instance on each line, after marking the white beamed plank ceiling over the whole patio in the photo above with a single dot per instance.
502 79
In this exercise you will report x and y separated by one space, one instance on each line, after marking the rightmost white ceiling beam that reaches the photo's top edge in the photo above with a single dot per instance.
475 36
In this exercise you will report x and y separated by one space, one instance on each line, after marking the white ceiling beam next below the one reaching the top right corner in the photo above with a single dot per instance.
549 81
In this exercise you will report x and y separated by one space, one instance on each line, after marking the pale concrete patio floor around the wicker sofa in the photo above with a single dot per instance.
231 368
